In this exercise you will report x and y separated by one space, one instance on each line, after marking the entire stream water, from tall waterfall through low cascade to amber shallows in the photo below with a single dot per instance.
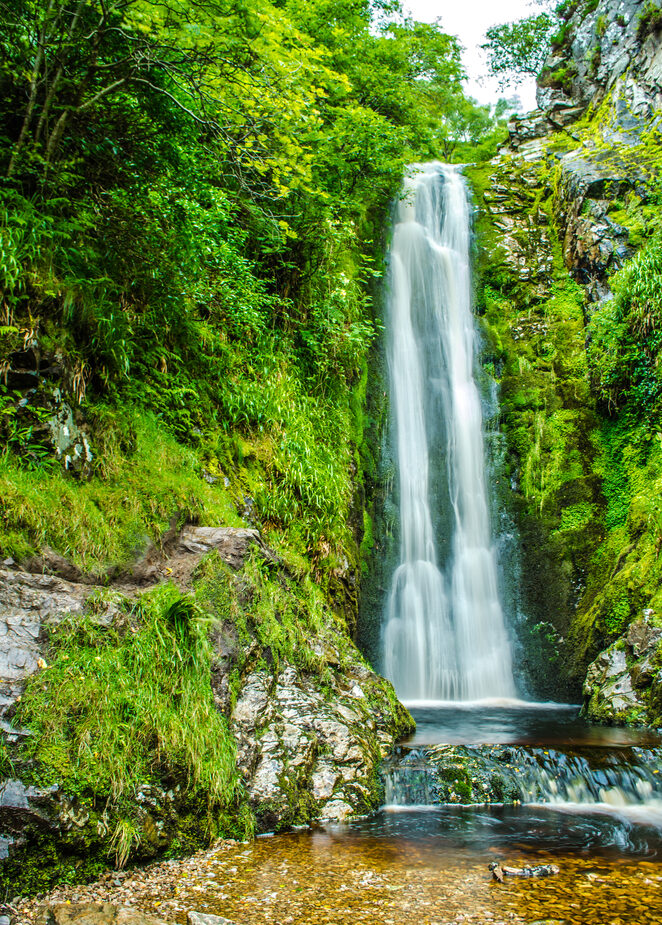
486 776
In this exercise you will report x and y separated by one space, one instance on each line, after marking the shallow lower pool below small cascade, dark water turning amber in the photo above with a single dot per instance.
430 867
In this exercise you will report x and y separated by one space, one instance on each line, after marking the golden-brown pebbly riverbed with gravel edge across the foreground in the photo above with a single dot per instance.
340 878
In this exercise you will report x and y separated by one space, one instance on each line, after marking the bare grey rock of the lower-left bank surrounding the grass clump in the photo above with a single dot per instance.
309 744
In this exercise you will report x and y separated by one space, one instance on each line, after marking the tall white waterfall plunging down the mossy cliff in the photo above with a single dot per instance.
444 636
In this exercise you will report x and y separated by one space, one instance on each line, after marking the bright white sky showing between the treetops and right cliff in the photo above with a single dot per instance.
469 19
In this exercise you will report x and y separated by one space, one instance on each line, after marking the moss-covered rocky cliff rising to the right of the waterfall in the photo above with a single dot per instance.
569 214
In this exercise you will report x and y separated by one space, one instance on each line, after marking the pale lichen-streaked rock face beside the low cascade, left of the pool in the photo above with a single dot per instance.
321 748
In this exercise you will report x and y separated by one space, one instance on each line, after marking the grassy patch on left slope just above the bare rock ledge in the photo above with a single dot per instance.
127 502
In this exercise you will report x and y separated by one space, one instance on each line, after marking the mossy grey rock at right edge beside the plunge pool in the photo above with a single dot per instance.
624 683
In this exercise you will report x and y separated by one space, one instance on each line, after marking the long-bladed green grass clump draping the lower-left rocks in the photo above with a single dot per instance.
118 709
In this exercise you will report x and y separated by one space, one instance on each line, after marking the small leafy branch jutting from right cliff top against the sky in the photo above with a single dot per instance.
518 50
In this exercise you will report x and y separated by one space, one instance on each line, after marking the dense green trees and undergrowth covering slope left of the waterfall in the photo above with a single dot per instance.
190 202
